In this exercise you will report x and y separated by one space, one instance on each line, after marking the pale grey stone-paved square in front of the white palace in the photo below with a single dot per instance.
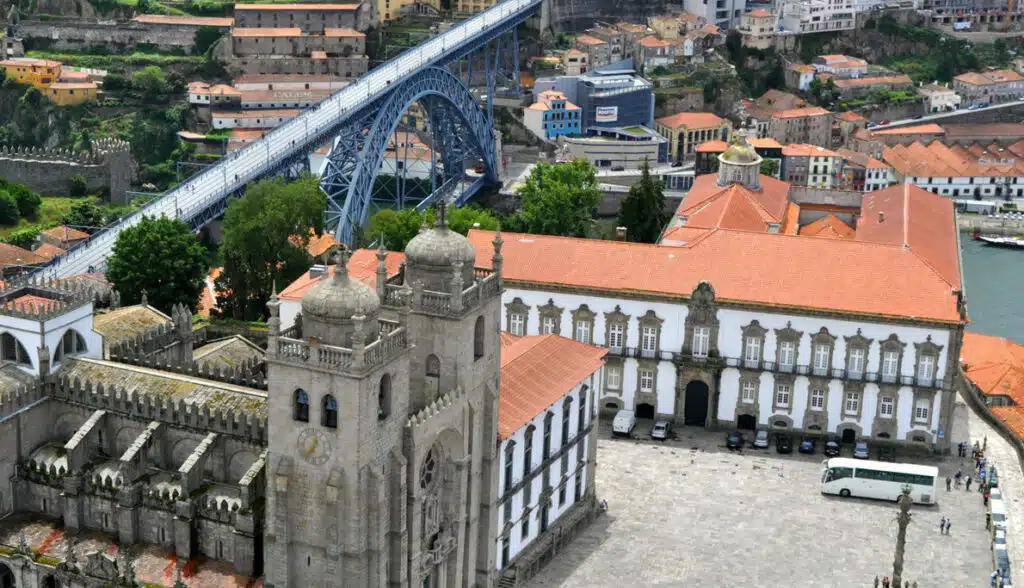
689 513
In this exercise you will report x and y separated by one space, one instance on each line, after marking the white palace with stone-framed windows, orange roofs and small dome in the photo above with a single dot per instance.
743 317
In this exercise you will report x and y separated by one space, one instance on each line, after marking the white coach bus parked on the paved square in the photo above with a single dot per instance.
879 480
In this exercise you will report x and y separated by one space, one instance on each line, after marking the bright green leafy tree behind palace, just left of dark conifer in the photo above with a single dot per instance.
560 199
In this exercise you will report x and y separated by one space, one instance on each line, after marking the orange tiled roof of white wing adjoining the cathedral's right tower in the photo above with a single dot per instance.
537 371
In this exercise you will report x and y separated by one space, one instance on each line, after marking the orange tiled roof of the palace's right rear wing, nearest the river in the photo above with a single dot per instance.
915 220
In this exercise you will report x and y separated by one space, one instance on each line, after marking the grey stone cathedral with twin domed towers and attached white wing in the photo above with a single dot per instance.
389 436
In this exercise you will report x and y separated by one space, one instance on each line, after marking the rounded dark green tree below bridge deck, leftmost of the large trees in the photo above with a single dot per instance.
162 258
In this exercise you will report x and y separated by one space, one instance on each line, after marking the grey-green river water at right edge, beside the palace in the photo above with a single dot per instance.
995 286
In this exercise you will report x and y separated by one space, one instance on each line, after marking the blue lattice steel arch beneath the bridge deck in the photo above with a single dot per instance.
355 159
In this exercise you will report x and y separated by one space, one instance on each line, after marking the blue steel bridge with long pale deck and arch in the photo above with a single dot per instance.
359 122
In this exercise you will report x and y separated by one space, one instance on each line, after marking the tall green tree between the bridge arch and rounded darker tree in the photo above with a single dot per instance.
266 236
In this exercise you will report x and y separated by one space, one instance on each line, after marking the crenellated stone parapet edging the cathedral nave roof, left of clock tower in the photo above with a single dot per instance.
232 422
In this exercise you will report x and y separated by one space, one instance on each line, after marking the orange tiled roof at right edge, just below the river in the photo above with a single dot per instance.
995 365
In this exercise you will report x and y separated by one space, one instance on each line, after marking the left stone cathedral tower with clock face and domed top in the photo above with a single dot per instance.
337 409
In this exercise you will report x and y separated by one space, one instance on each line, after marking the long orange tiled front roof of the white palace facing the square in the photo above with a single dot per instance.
771 270
